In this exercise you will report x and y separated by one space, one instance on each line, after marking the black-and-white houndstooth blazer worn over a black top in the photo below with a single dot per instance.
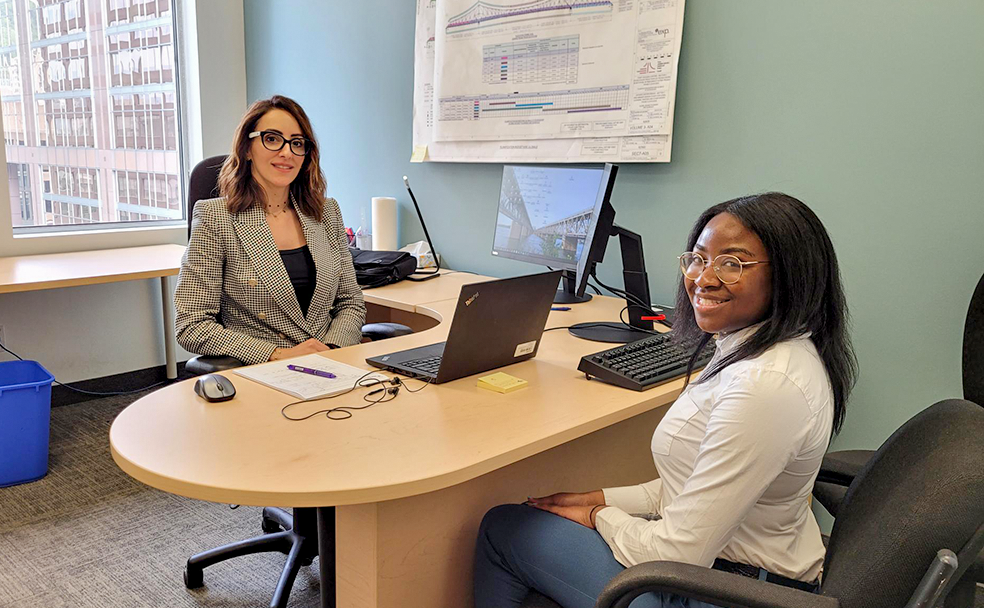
234 296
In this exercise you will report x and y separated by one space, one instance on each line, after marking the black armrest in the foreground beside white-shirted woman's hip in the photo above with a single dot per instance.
714 586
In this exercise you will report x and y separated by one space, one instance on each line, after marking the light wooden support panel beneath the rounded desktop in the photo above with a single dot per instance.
419 550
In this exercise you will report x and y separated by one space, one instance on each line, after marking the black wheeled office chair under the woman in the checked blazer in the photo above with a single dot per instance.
294 535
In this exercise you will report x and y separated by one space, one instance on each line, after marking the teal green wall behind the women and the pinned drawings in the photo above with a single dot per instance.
871 112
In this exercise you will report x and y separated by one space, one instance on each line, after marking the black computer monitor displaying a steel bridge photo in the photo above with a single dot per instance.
546 216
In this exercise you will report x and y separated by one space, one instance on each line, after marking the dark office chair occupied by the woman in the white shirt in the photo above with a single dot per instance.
916 501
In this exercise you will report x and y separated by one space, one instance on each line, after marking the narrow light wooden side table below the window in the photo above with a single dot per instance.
36 272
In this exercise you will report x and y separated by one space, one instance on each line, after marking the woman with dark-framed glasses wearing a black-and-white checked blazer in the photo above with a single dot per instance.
267 273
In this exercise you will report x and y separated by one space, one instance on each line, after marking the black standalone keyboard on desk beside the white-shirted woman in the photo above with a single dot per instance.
642 364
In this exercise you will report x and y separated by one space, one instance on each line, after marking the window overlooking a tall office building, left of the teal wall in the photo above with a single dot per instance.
90 116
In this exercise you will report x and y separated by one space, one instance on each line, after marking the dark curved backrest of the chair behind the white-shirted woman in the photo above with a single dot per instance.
921 492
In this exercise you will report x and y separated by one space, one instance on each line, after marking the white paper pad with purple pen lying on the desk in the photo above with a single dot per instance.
307 386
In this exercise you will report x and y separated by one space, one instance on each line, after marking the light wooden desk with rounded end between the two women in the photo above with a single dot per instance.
411 478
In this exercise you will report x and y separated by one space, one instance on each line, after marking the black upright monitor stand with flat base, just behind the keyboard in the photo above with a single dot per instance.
636 286
